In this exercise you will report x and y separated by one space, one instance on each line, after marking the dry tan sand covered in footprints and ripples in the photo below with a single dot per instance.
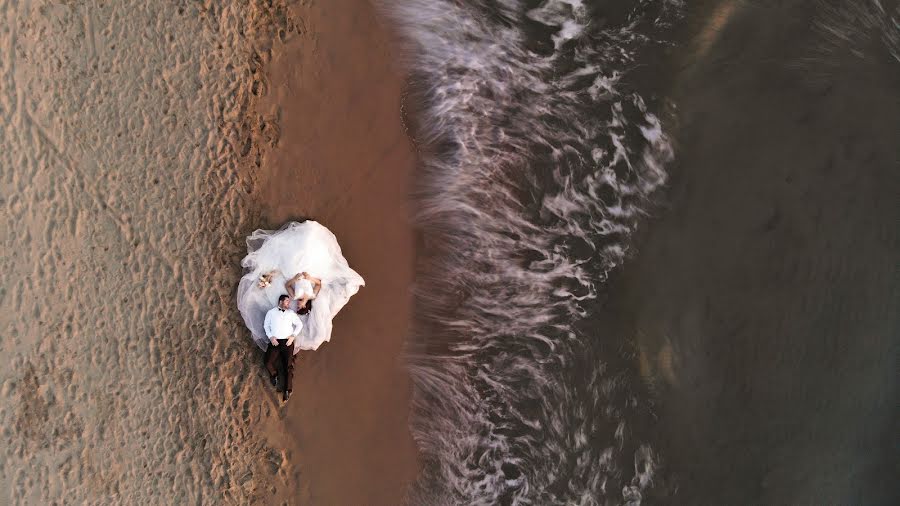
127 147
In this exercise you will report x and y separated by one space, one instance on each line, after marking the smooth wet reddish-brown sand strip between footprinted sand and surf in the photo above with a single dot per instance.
344 160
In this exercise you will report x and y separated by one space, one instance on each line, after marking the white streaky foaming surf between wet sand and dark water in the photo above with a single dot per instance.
539 158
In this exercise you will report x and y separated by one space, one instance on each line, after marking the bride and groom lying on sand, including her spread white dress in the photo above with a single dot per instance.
283 324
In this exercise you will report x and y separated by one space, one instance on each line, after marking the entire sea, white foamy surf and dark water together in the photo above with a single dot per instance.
659 251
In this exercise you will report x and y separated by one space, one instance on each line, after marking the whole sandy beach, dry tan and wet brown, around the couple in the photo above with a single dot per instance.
130 154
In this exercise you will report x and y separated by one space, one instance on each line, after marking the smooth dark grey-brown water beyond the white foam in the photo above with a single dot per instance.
771 274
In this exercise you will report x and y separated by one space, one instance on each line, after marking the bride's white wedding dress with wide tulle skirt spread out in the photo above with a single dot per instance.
296 247
